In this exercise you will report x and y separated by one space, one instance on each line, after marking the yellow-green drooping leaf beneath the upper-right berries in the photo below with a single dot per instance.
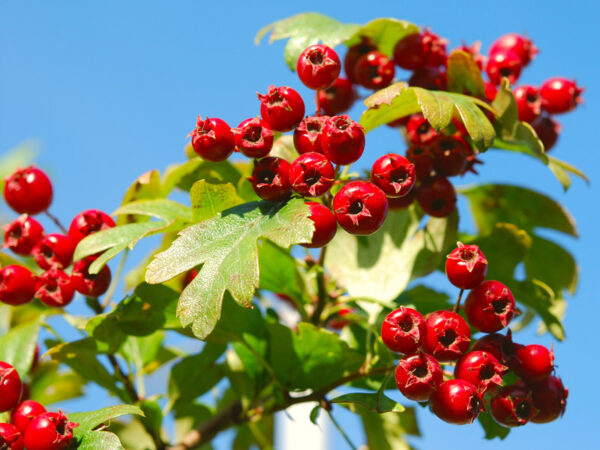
438 107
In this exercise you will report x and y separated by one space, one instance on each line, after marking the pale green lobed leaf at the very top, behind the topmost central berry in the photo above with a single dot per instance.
306 29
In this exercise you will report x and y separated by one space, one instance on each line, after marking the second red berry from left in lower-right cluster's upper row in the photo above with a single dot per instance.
447 337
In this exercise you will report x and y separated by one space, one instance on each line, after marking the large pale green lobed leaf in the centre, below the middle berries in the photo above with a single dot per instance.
227 247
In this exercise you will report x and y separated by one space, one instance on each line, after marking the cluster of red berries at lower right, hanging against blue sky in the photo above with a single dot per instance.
482 374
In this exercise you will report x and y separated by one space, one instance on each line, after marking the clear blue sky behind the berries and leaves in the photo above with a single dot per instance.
110 90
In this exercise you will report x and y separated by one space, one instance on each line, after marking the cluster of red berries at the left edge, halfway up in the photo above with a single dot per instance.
29 192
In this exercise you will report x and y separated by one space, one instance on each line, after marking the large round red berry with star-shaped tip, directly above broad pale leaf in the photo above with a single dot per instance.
360 207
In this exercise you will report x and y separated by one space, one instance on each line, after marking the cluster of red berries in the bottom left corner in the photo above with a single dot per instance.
31 426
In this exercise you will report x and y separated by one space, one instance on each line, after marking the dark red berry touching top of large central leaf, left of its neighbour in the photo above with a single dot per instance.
270 178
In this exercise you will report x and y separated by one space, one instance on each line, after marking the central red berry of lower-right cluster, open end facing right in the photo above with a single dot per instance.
481 369
